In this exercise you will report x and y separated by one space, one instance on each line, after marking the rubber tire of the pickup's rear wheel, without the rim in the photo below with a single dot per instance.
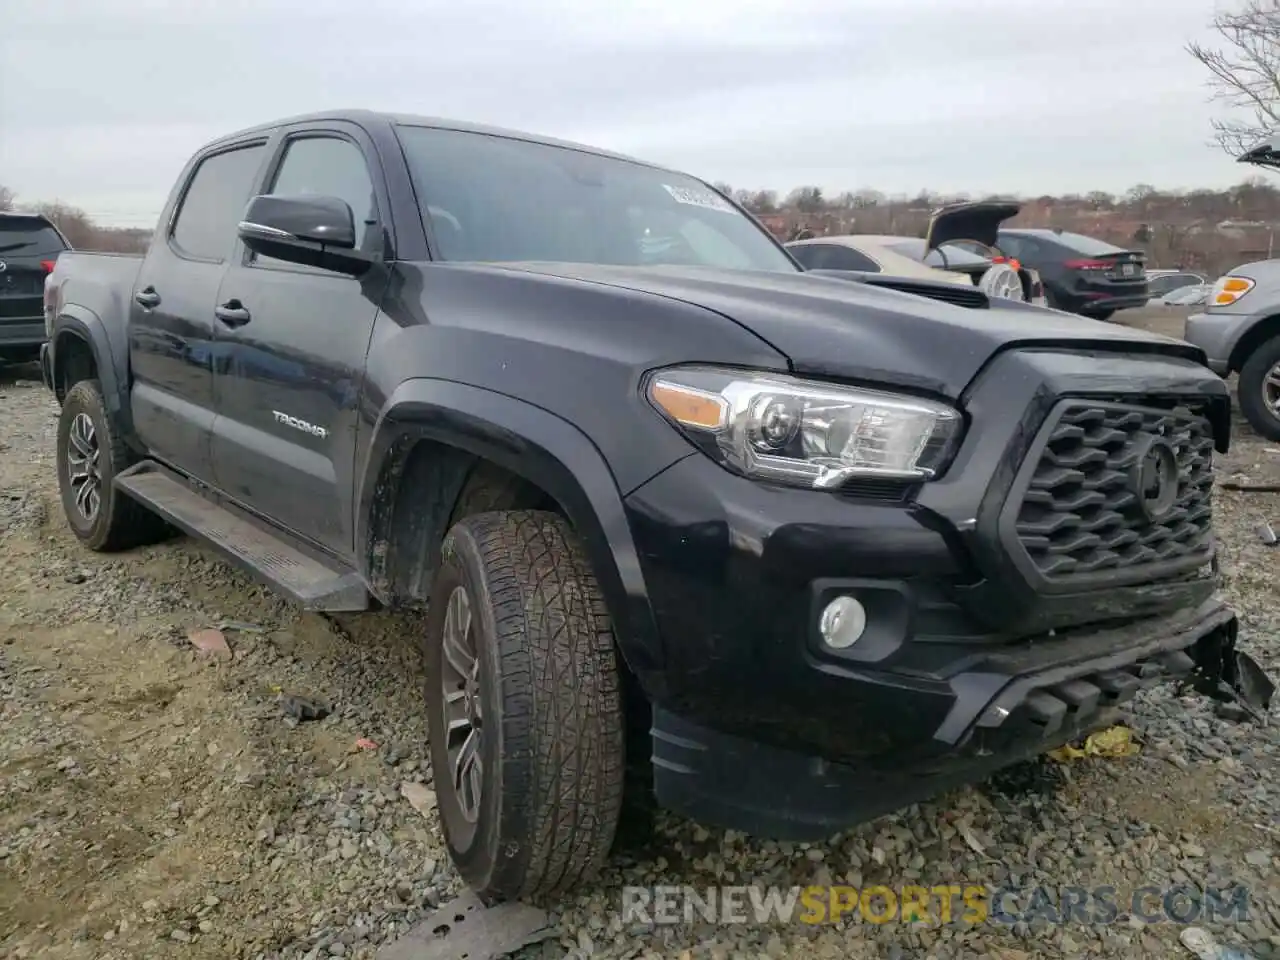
121 522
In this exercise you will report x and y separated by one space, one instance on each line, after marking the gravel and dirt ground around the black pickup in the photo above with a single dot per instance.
156 802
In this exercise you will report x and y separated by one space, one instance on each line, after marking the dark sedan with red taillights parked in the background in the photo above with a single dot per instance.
1081 275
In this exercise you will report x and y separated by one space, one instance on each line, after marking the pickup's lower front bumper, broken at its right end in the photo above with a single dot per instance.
1009 705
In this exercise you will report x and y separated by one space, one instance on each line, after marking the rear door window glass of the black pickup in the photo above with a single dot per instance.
214 203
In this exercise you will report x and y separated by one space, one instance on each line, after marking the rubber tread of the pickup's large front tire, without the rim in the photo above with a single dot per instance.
554 735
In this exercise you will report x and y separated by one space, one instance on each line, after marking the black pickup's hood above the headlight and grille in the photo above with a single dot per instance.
853 331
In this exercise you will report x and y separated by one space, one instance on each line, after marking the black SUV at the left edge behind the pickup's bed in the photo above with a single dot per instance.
29 249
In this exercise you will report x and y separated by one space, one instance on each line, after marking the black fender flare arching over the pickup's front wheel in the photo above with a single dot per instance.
545 450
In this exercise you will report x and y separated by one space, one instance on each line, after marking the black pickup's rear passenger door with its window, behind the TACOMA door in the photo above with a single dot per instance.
172 309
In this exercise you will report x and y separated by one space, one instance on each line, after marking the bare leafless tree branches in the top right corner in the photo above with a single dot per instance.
1245 67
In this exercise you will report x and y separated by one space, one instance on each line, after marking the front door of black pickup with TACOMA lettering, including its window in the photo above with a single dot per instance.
290 356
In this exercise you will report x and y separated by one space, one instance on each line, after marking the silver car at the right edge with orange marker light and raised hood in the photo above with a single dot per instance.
1240 328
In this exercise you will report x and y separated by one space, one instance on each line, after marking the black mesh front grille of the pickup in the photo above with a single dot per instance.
1082 511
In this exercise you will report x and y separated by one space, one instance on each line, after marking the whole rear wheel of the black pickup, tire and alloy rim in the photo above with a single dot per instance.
90 455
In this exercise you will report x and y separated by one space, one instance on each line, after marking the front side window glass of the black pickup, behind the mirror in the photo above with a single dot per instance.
330 167
